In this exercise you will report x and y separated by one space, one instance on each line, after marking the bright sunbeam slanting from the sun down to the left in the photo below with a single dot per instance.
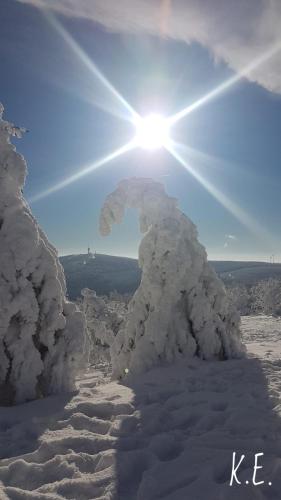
82 172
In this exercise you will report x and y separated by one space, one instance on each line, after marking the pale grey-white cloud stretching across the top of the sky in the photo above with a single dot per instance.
234 31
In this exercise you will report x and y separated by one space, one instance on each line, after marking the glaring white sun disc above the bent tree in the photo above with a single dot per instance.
152 132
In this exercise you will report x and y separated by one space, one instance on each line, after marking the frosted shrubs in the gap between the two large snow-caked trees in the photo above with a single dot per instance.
104 318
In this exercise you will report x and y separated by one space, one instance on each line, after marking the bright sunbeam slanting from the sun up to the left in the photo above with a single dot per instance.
127 112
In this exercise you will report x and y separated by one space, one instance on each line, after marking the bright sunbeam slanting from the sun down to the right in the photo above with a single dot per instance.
180 153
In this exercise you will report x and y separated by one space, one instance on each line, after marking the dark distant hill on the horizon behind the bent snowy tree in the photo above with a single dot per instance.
106 273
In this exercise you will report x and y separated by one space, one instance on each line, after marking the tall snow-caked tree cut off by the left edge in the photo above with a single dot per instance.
42 336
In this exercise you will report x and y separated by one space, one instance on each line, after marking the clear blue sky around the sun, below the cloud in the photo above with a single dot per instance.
235 138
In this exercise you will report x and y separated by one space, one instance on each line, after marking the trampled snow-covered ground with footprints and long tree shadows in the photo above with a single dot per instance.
170 436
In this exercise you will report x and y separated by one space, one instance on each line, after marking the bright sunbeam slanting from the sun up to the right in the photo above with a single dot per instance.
226 84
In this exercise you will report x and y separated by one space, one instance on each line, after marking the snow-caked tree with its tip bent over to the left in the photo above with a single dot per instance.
180 308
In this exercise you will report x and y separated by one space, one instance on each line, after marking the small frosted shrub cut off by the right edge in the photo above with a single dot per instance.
266 297
